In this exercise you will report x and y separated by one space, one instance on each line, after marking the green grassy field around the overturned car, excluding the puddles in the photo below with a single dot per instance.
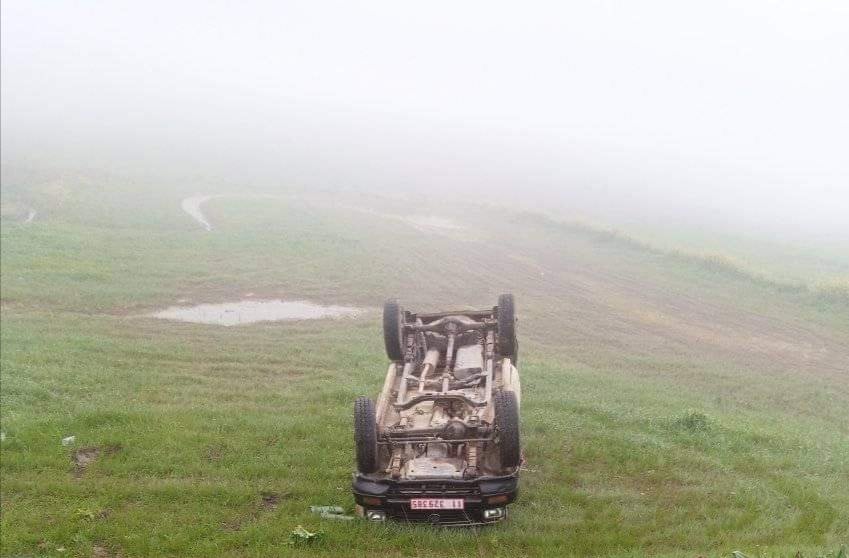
670 407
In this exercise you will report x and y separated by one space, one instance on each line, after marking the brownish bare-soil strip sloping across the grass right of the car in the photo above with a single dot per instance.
620 297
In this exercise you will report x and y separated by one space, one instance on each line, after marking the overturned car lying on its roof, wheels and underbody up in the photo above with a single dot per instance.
441 444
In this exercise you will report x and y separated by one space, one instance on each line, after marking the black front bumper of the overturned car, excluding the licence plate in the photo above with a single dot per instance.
392 497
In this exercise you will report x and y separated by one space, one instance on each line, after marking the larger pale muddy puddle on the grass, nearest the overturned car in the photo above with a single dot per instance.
252 311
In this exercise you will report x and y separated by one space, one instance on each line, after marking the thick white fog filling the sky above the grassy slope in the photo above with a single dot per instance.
722 113
